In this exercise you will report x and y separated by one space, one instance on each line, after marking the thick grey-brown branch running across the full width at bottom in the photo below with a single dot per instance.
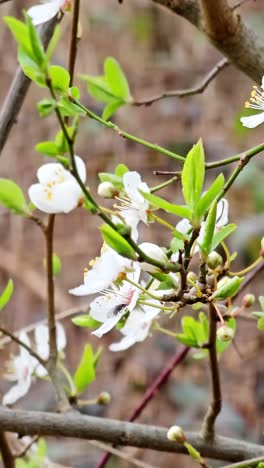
121 433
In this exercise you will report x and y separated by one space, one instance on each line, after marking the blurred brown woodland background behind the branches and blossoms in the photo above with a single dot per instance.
158 51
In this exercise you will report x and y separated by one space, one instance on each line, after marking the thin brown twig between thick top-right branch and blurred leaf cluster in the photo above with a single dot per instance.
198 89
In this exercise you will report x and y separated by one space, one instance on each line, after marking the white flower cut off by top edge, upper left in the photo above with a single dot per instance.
42 13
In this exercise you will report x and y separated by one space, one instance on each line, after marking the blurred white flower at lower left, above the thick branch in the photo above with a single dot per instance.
24 366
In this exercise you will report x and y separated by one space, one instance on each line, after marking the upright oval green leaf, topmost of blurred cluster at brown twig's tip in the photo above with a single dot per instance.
116 79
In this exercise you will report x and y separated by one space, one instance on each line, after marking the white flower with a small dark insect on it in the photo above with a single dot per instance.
114 303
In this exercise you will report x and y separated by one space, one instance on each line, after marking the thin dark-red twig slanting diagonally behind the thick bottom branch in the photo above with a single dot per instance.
151 392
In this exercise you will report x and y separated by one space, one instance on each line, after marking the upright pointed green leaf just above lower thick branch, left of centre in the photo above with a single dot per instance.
85 373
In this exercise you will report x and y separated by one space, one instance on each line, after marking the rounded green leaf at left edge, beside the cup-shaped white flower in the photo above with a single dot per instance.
12 197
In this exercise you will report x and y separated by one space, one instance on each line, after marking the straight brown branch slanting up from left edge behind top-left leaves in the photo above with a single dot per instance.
18 90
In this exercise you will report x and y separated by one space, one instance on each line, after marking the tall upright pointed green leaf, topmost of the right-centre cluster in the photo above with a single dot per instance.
193 176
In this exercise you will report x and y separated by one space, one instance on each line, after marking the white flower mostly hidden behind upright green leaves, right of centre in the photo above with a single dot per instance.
184 226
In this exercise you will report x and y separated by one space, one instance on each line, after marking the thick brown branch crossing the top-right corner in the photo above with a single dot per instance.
228 33
